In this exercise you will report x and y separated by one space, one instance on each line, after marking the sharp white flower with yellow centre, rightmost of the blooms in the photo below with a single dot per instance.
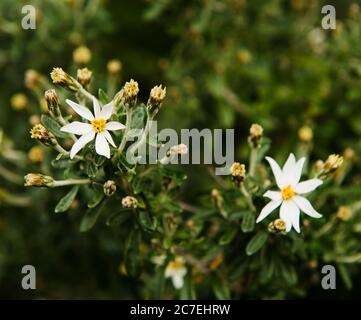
289 197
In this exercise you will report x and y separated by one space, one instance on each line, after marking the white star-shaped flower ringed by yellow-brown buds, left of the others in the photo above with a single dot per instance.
98 127
